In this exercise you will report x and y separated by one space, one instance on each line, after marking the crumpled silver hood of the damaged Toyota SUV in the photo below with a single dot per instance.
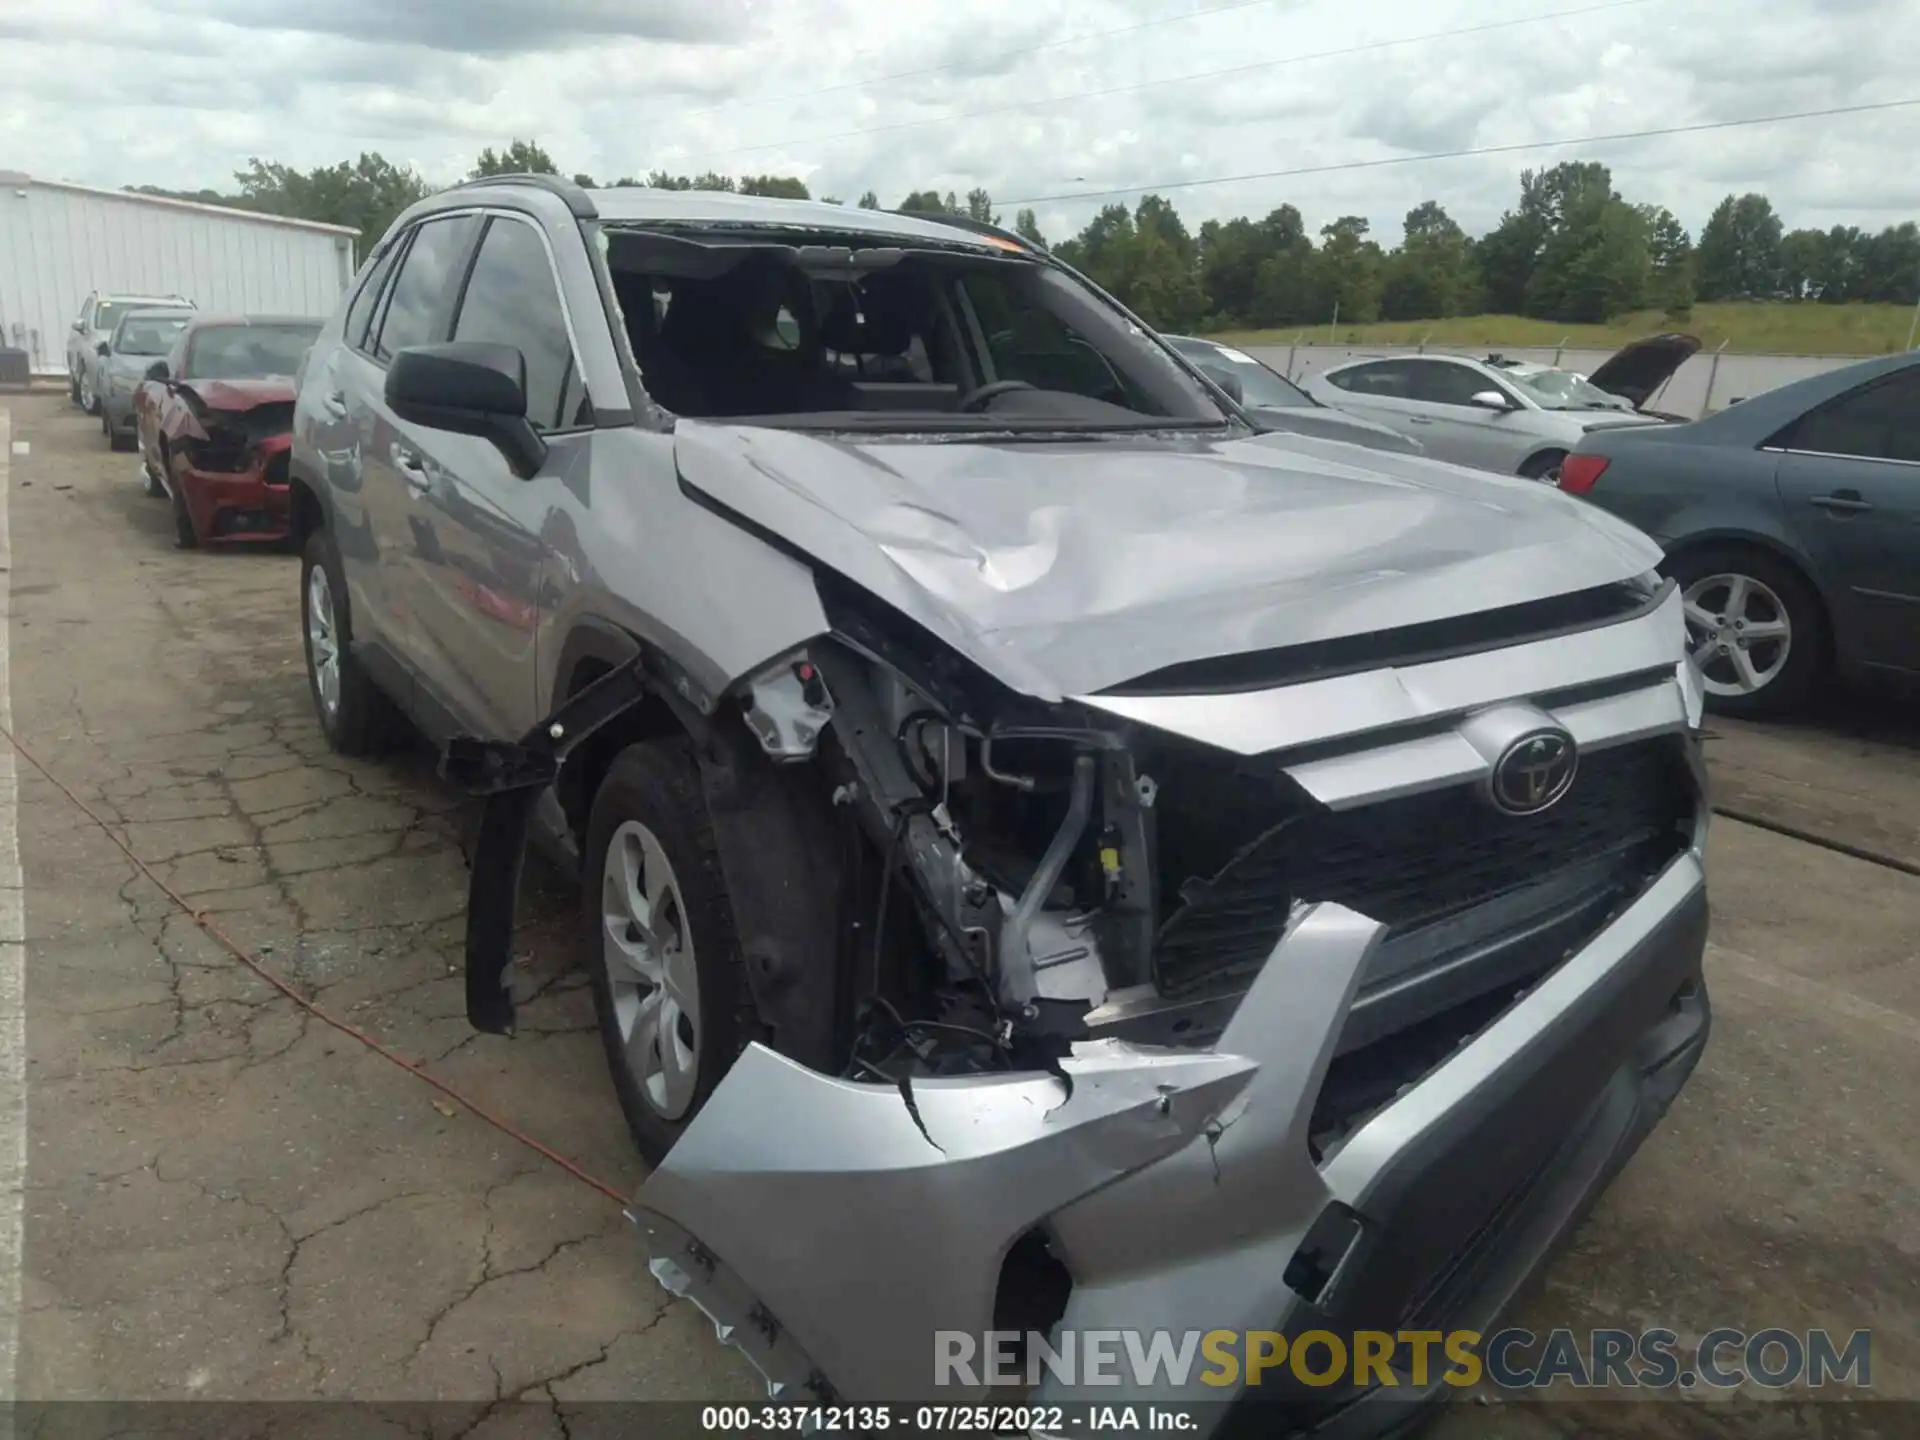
1070 567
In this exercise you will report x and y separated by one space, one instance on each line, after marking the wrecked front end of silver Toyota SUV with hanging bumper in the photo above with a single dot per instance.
1274 1007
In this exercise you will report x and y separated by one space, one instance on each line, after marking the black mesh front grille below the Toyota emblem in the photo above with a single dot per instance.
1422 859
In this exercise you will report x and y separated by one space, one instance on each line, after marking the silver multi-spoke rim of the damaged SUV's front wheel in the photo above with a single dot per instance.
648 951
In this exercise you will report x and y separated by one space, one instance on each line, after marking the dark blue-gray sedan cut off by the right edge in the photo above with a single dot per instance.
1792 523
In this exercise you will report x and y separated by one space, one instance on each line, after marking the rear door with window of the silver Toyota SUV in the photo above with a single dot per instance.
416 310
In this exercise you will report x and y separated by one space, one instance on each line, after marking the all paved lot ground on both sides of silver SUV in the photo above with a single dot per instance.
226 1199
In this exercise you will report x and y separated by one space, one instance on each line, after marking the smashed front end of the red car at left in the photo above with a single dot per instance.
231 466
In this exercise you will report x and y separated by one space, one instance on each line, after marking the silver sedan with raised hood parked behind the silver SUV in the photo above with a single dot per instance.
1502 416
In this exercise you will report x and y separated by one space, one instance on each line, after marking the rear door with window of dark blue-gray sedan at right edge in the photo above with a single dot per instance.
1850 483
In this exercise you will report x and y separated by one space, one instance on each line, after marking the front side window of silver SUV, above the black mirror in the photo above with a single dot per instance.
514 300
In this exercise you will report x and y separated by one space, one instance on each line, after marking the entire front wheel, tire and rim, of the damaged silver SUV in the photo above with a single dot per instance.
669 980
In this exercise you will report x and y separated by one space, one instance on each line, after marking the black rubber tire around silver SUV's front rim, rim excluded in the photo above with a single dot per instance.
658 786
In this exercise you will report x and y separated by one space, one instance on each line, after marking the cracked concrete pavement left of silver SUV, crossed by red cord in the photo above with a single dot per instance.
228 1199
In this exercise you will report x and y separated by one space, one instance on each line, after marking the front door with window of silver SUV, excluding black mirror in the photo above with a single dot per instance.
475 564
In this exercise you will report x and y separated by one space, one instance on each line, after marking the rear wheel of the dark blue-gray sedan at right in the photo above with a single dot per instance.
1756 629
